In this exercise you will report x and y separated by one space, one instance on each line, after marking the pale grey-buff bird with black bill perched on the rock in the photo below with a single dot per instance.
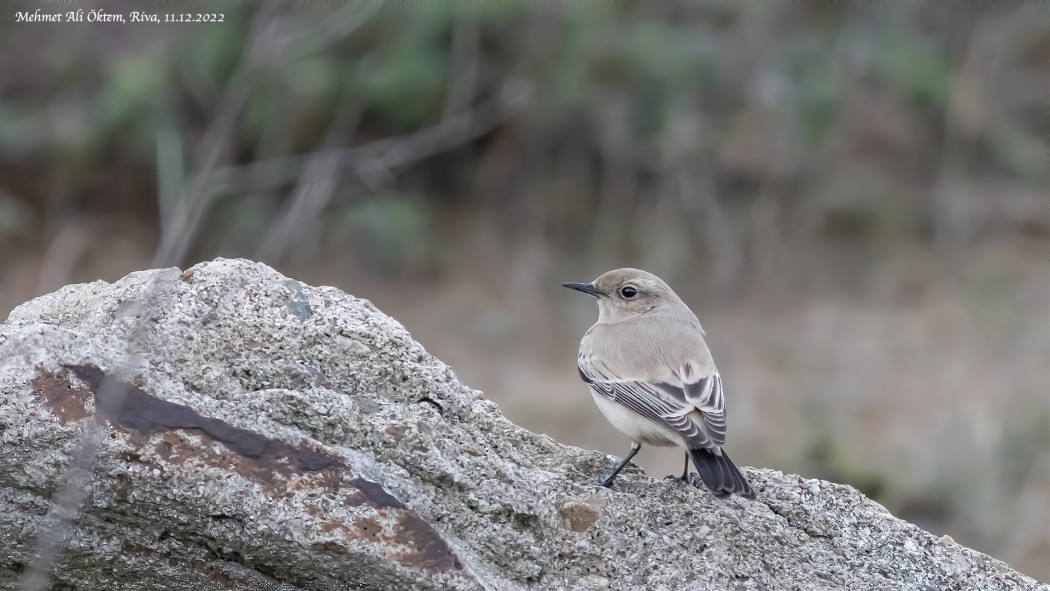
653 376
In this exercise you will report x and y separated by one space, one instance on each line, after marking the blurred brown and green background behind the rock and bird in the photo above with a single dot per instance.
853 197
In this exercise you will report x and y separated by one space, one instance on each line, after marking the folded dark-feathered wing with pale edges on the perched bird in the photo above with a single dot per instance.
668 404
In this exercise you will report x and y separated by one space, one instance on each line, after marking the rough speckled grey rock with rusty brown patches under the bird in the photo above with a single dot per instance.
255 433
